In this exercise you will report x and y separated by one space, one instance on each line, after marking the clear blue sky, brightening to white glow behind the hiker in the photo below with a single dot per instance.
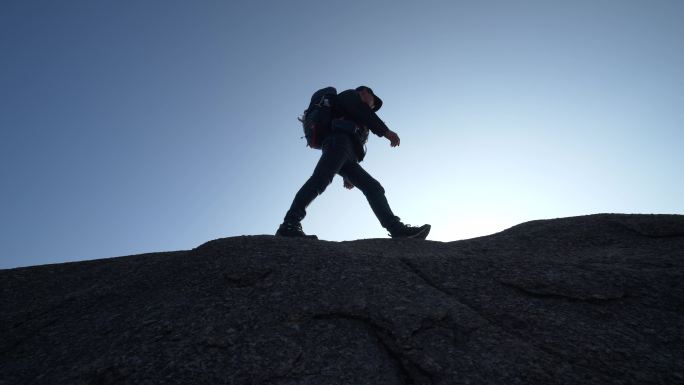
139 126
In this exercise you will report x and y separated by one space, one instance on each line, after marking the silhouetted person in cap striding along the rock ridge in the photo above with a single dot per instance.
353 114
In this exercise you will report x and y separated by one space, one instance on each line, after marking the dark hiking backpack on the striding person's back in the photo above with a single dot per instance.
317 118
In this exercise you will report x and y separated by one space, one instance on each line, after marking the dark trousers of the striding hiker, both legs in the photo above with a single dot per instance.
339 158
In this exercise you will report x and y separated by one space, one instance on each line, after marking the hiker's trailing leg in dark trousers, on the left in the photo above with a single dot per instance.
336 151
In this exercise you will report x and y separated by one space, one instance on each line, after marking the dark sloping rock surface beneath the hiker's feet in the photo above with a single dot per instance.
585 300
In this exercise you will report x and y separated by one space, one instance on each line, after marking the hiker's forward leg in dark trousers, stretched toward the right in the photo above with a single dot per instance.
373 191
